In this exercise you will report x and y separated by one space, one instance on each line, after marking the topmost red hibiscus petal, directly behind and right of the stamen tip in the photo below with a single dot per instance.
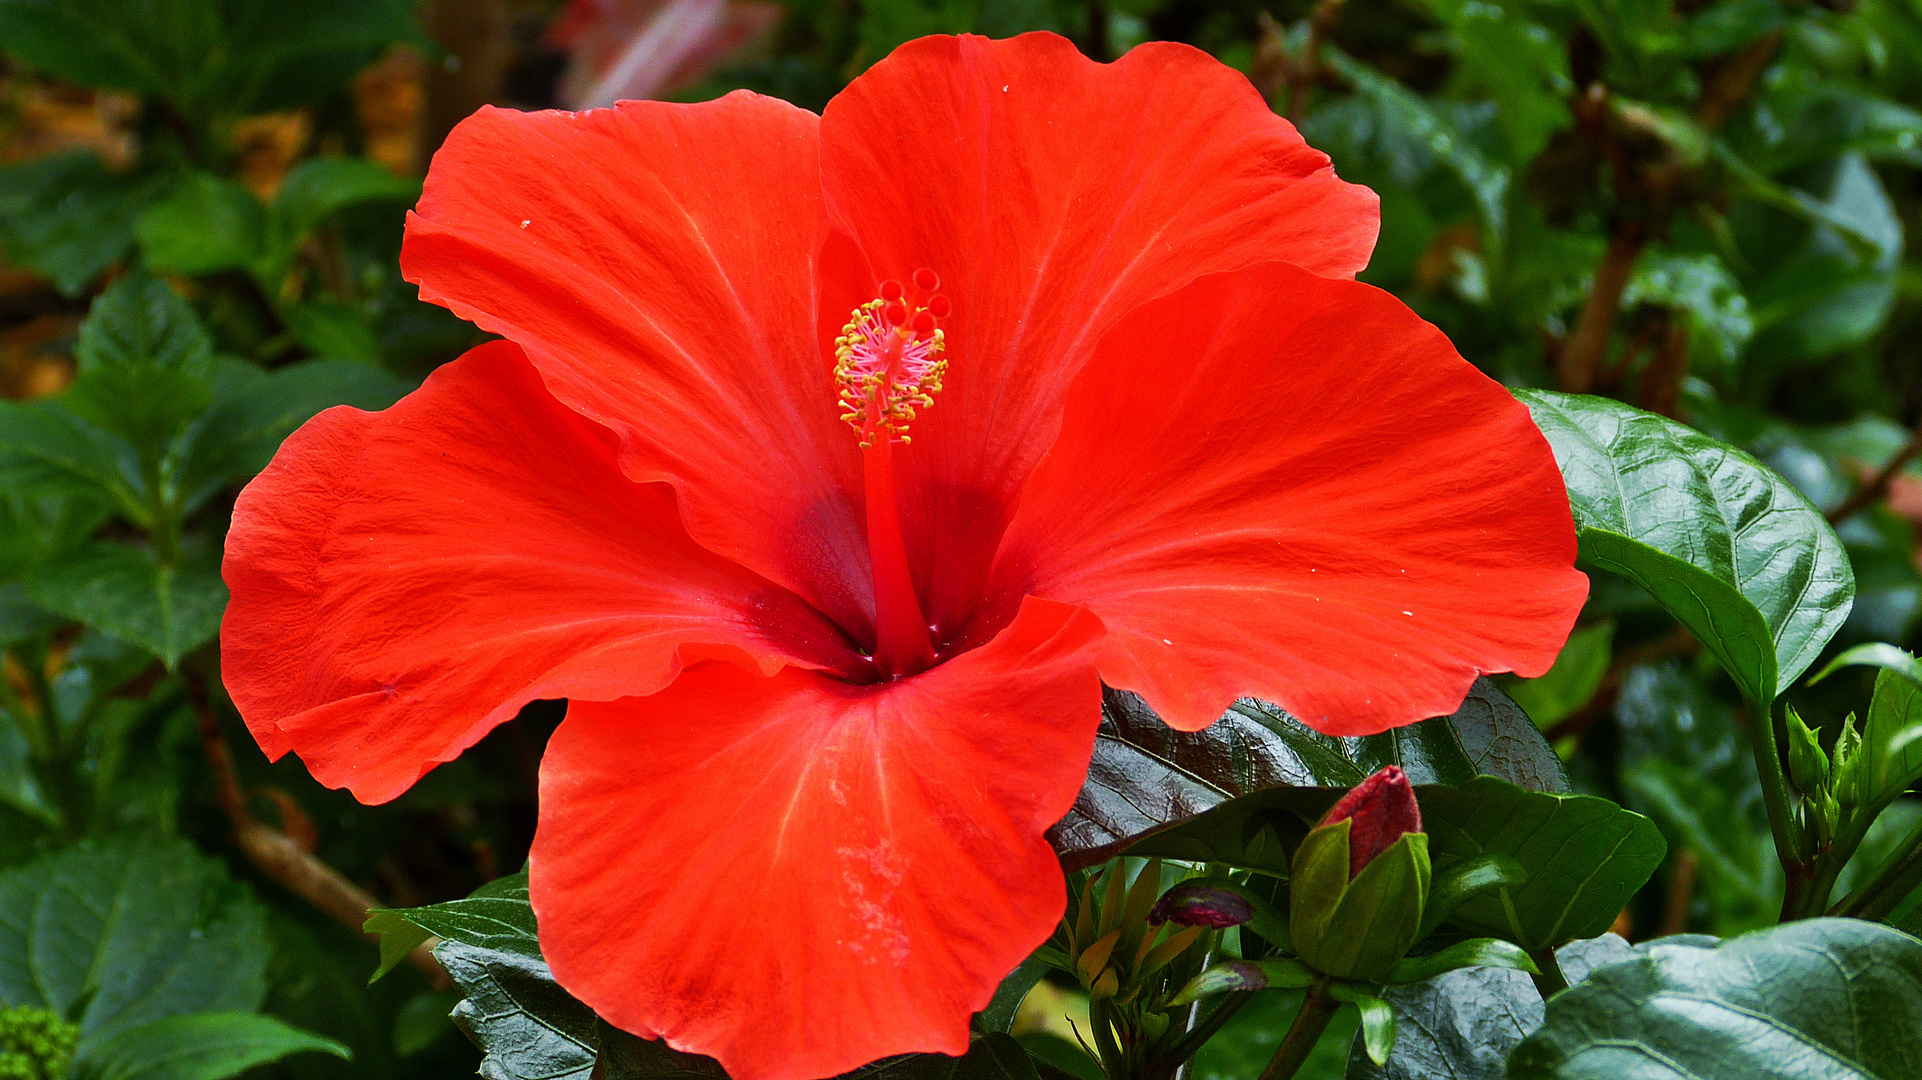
1054 195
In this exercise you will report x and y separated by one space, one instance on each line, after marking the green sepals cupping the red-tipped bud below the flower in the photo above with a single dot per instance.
1377 918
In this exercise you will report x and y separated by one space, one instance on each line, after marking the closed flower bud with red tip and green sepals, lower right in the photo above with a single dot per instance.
1360 881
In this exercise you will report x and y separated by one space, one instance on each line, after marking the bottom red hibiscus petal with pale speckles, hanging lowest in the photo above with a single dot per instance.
799 875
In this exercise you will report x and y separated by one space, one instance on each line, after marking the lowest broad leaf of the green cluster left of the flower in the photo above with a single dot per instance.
136 597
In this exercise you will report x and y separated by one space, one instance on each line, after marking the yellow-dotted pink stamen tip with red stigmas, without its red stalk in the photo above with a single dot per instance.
889 360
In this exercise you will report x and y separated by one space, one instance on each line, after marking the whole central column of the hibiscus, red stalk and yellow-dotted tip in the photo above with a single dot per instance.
889 362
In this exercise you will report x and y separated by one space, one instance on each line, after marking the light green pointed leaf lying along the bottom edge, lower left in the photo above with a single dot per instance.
203 1046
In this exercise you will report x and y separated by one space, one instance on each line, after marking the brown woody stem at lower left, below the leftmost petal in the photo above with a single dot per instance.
282 860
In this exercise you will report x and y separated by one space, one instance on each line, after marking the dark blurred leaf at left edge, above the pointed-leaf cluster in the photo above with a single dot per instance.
68 216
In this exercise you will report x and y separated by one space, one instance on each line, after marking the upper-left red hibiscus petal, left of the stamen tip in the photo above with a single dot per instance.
656 262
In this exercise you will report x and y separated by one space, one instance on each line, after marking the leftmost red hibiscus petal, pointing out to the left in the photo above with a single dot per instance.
407 581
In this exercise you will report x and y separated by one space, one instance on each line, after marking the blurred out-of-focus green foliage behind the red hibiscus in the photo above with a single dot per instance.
1694 207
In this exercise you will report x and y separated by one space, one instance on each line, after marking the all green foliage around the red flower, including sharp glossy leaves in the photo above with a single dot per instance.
1694 210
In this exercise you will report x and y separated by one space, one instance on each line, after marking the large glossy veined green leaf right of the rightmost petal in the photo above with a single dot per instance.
1723 543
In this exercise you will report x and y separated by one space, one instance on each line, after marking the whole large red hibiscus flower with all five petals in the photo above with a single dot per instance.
831 464
